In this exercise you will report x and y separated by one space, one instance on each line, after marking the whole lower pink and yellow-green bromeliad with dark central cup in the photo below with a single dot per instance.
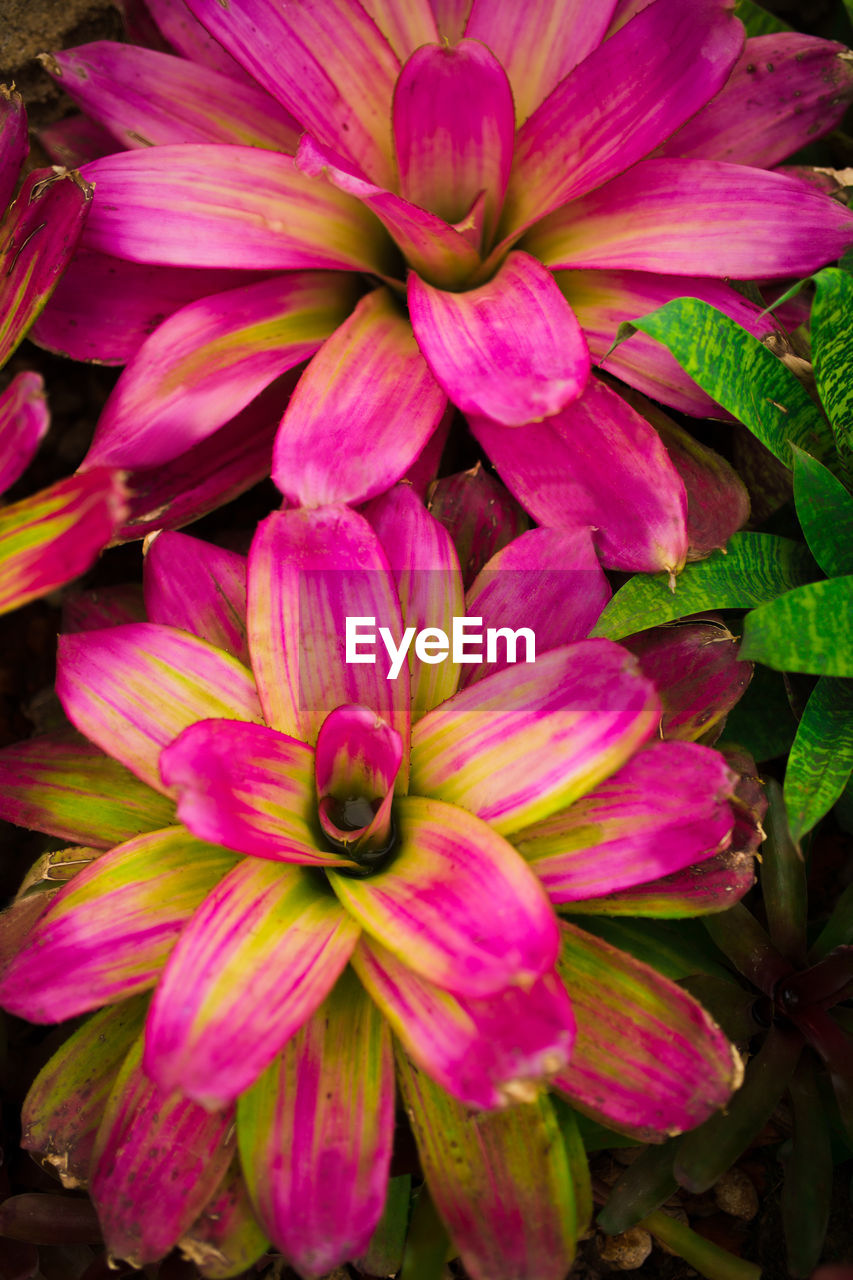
313 867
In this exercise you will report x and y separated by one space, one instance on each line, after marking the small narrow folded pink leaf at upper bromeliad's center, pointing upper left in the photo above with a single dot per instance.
428 244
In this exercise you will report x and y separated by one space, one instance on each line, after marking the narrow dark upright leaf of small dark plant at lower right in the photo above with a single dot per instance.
783 881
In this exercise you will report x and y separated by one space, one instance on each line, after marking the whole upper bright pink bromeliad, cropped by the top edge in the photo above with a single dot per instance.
437 204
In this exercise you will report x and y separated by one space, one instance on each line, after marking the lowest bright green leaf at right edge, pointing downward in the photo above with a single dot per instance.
822 758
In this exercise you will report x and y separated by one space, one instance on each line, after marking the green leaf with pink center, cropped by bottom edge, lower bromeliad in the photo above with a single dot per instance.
503 1182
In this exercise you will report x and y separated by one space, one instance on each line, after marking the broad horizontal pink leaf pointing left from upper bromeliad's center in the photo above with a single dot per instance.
211 205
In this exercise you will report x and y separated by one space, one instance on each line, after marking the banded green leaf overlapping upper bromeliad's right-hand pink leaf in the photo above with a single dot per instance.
742 376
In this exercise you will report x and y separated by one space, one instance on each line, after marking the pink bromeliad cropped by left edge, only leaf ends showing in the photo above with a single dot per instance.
53 537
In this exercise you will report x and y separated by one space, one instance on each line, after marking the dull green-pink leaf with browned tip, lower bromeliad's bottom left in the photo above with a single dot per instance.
66 1101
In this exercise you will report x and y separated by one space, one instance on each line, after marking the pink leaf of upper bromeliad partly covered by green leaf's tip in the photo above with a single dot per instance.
604 300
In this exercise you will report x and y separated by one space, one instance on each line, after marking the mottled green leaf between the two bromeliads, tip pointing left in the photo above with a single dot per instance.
755 569
